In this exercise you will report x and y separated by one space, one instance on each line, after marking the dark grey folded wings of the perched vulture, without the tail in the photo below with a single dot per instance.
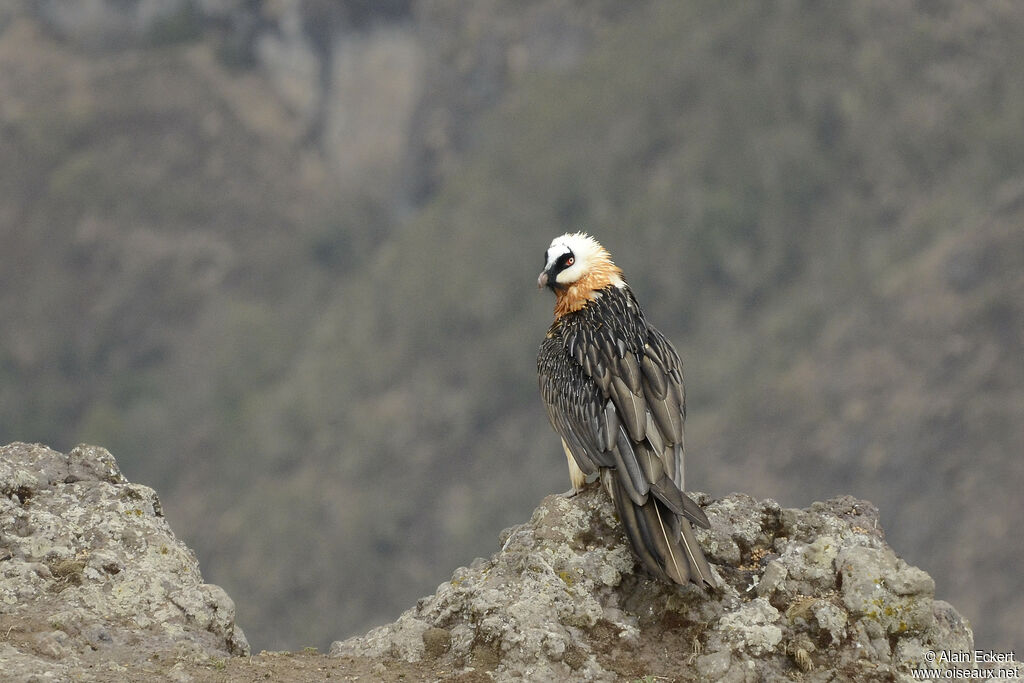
614 392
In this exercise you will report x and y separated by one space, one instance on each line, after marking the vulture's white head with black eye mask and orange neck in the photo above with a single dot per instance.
576 266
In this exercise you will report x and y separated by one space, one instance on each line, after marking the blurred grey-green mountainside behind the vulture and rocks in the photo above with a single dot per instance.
280 258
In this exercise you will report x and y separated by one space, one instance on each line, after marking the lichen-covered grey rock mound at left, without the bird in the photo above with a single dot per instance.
93 579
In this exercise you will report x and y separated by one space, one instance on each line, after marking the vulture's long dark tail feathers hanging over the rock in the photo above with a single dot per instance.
664 541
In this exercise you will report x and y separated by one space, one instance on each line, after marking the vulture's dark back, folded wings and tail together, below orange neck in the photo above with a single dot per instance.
628 422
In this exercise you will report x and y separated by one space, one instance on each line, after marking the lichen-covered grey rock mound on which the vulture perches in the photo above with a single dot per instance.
815 594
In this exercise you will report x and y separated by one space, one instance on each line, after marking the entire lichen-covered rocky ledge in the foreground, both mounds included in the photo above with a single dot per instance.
95 586
